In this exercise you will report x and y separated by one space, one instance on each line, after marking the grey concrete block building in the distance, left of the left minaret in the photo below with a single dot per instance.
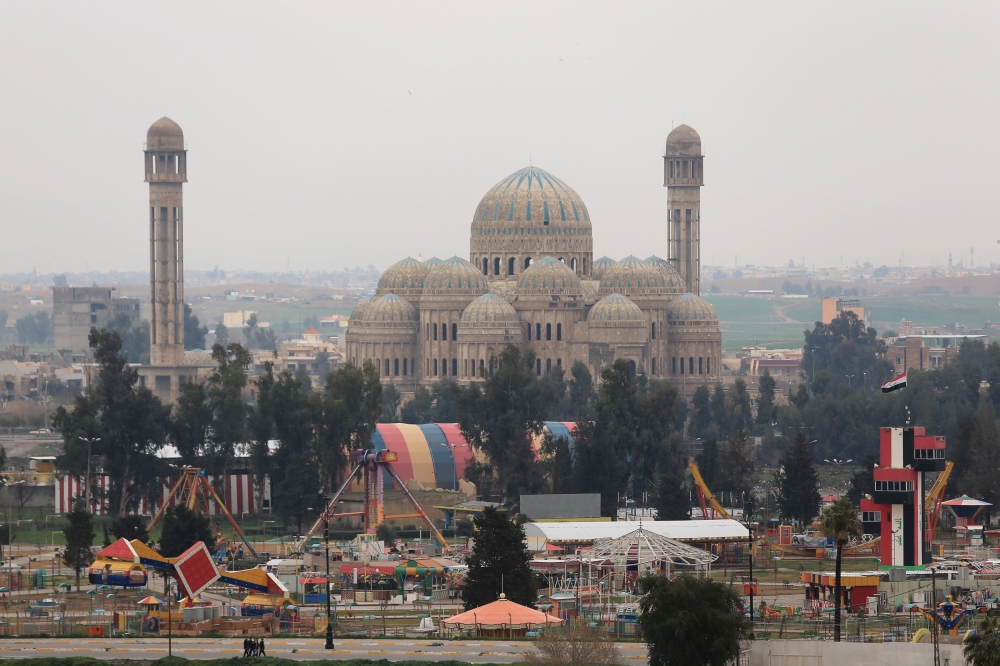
76 310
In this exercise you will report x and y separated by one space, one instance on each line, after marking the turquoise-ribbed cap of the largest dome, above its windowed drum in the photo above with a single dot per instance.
531 196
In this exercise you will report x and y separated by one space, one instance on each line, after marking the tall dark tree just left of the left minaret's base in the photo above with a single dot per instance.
129 420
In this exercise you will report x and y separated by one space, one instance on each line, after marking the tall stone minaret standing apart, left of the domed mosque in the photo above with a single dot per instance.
166 171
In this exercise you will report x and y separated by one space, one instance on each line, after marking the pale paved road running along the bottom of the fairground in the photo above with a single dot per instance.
474 651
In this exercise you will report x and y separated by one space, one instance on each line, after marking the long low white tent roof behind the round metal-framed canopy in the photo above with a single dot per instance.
678 530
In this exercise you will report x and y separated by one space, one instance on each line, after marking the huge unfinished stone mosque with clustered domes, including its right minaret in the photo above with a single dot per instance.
531 281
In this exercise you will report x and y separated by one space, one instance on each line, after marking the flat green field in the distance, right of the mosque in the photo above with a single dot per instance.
781 322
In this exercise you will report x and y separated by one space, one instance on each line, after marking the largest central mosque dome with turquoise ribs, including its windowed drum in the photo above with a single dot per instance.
528 215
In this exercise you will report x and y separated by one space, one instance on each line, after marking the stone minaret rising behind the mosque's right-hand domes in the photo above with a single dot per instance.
683 178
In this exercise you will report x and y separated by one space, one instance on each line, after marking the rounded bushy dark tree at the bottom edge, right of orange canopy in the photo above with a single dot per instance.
692 621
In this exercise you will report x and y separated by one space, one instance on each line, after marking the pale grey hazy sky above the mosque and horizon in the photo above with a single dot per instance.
329 134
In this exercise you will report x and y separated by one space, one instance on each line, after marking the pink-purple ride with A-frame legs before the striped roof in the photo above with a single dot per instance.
370 465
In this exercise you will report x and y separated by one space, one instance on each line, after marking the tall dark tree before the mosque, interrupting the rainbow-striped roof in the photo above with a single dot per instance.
498 417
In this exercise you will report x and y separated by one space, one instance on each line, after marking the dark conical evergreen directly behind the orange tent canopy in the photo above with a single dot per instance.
498 563
